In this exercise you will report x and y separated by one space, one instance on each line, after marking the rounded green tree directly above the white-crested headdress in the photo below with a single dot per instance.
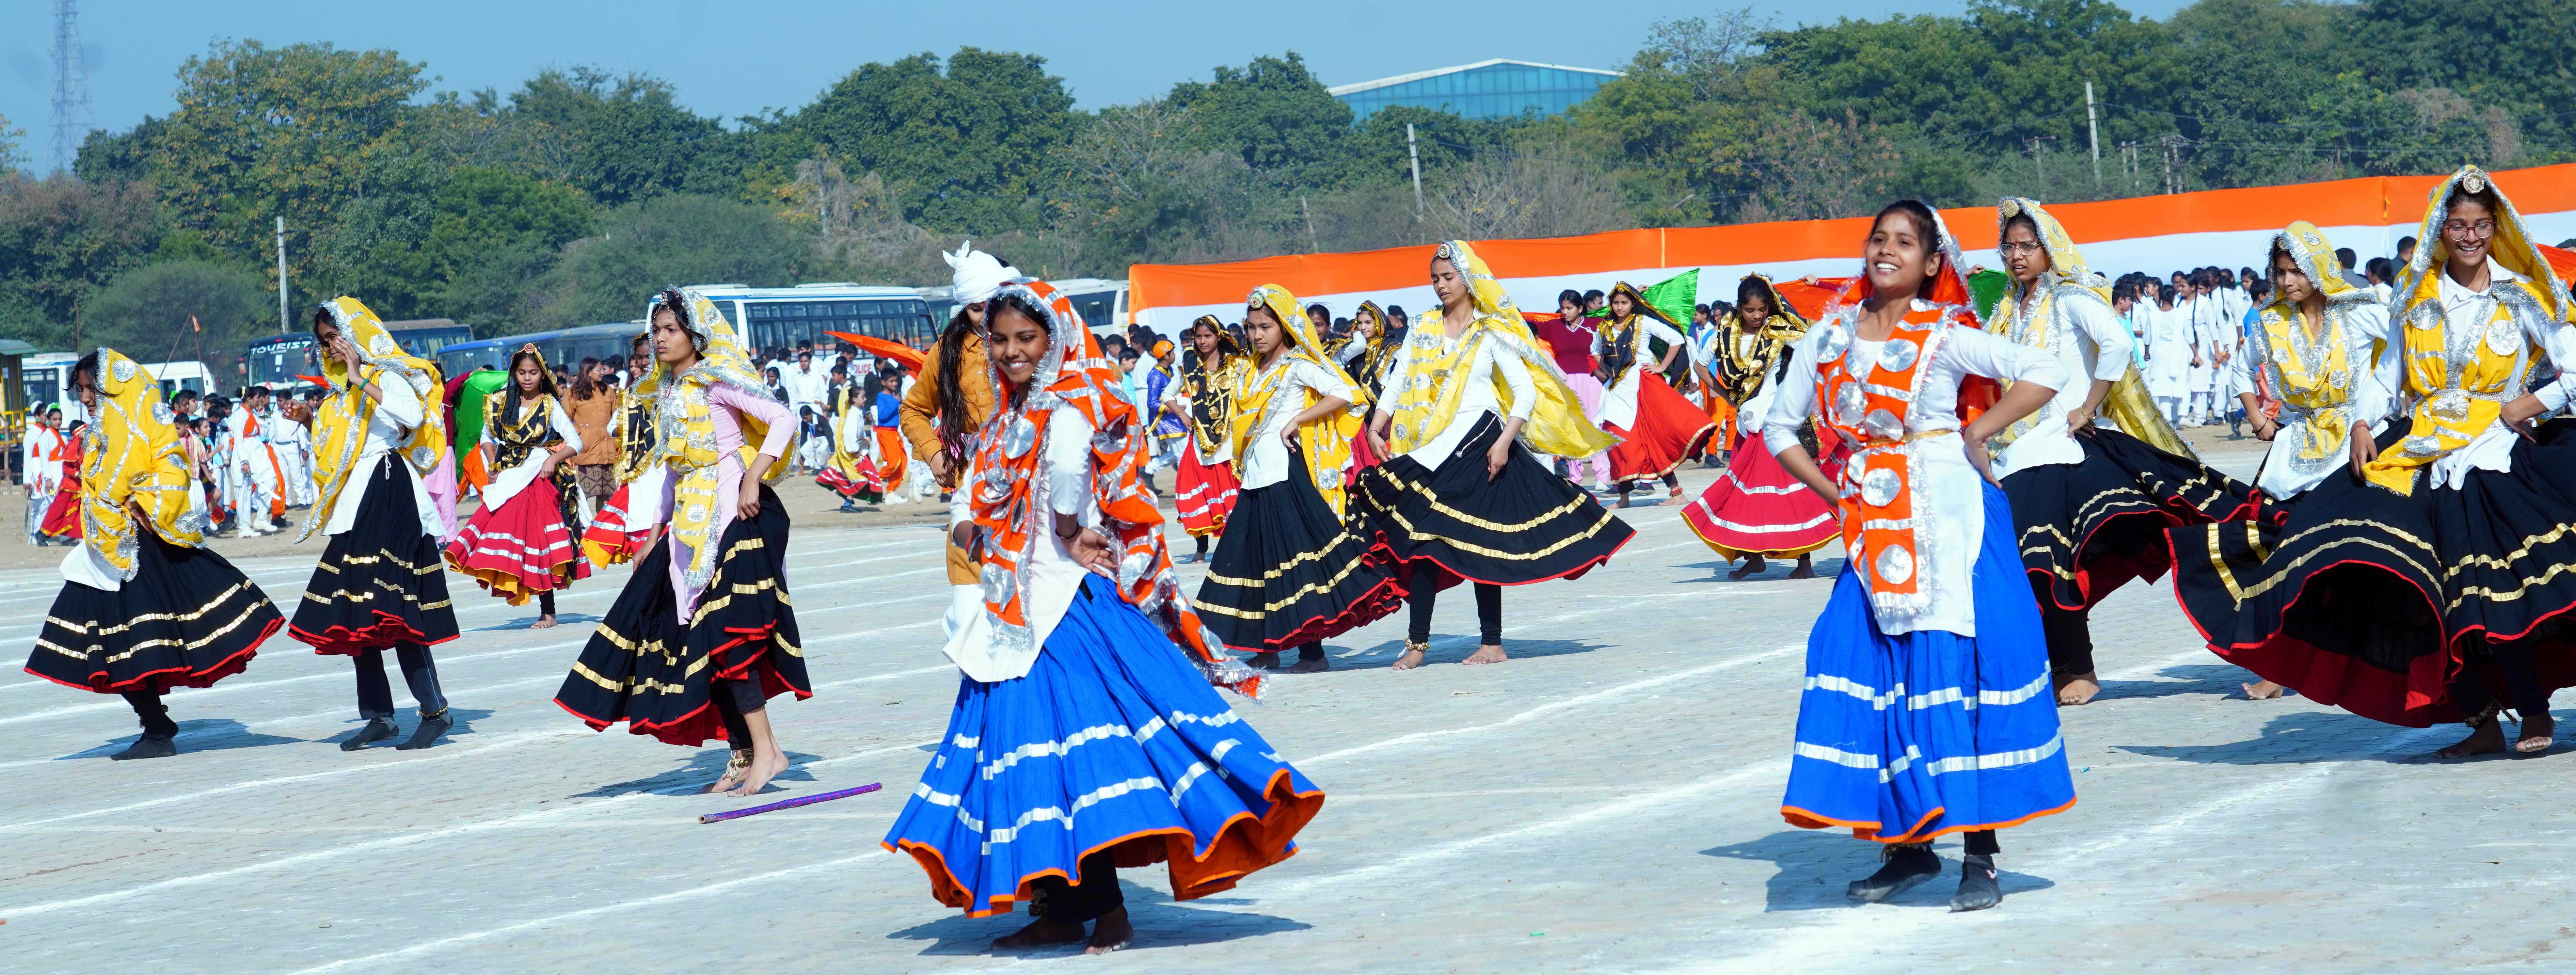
965 148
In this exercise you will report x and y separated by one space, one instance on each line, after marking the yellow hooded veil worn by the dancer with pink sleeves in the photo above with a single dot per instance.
687 428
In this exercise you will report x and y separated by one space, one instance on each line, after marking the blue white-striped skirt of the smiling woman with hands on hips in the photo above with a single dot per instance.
1923 734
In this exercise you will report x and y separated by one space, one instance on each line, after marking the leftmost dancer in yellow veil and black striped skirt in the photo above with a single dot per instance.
143 608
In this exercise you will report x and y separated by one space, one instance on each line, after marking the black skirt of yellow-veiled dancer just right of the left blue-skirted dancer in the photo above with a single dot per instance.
1289 572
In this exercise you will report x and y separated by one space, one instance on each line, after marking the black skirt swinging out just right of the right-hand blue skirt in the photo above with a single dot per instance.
2088 529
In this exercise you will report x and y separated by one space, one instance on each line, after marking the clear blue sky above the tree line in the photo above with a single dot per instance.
741 58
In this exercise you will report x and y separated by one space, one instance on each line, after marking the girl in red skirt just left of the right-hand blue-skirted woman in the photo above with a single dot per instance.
1756 511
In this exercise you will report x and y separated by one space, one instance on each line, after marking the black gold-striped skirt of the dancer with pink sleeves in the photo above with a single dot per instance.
658 675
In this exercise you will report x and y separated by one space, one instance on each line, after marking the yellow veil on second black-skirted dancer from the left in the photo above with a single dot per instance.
341 423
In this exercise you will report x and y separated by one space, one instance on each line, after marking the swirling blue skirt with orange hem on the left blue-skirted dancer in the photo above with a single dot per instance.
1112 742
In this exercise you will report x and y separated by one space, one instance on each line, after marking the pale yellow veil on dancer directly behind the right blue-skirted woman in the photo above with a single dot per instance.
2029 320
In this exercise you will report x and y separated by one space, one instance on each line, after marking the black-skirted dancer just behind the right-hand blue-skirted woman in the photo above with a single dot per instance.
2093 503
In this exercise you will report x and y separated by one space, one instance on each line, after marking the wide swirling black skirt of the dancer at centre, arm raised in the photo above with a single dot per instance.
1454 524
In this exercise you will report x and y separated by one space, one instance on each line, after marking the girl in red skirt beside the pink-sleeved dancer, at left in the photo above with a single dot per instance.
524 539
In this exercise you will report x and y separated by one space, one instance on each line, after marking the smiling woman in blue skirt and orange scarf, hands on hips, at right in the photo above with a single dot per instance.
1926 701
